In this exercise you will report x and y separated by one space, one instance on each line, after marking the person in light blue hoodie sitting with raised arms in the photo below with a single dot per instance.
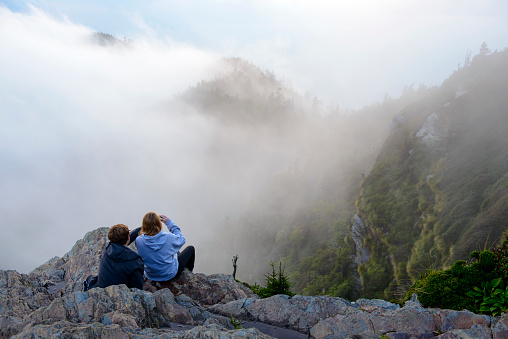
160 249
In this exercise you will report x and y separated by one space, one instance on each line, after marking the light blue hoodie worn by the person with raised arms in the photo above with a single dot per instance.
160 252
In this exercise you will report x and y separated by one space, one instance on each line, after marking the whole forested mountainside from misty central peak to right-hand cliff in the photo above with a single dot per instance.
426 172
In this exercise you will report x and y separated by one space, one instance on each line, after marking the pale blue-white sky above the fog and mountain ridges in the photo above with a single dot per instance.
349 53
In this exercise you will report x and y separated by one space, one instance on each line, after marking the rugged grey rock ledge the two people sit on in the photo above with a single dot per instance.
49 302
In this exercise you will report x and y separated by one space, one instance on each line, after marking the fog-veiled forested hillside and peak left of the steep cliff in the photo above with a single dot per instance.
313 158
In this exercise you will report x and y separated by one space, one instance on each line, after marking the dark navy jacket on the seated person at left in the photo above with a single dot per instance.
121 265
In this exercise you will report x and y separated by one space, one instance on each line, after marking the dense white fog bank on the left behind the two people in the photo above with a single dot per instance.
83 142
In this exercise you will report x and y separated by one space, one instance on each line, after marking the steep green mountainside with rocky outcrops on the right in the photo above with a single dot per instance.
439 187
